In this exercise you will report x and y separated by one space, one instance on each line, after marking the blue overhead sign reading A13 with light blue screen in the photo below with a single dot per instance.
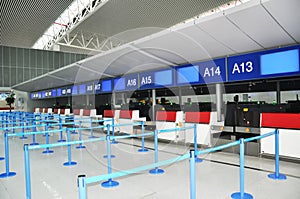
265 64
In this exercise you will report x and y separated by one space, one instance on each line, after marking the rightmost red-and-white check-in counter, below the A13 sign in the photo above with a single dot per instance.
289 134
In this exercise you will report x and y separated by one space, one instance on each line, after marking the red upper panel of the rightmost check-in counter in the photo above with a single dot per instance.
281 120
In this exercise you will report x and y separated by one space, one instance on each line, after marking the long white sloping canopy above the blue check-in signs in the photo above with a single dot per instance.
252 26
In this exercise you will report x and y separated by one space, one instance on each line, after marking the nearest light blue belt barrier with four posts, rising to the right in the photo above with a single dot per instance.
83 181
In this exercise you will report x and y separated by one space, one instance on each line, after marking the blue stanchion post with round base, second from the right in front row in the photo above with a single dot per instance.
242 194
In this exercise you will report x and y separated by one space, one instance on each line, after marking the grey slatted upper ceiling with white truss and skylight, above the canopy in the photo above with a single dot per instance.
24 22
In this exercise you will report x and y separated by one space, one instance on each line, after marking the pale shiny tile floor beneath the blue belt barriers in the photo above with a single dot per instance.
217 176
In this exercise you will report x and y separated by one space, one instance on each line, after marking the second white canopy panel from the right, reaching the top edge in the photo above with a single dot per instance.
267 32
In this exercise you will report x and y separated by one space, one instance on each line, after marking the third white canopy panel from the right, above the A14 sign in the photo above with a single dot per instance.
228 34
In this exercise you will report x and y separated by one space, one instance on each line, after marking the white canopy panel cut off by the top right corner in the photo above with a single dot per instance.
287 14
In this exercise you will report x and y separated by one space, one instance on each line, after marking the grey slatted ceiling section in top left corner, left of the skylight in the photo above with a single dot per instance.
23 22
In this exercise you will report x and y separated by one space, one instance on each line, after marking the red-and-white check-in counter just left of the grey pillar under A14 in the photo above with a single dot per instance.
203 123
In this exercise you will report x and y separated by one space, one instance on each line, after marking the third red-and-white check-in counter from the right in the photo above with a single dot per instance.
170 120
